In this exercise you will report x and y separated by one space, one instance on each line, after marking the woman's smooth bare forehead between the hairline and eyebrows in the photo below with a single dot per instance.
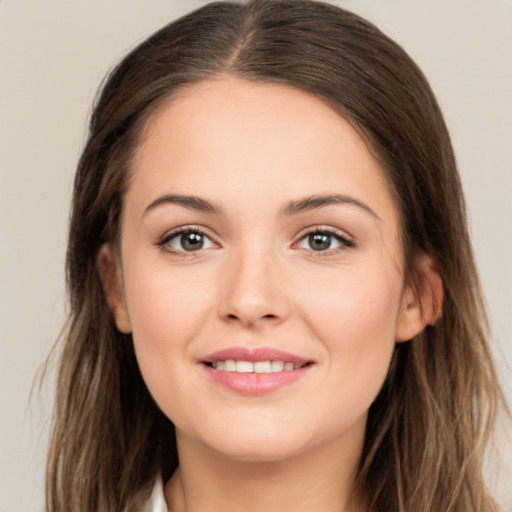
230 138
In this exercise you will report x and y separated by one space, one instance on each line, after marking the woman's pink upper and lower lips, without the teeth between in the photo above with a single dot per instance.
254 384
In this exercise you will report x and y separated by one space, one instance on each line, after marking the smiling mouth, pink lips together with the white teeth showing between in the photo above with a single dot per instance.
255 371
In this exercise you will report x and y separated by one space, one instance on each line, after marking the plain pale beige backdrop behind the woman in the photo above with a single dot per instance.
53 55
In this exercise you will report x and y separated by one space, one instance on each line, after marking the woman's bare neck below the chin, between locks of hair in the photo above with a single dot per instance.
320 479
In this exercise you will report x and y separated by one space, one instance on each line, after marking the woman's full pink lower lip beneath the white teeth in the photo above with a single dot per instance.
254 384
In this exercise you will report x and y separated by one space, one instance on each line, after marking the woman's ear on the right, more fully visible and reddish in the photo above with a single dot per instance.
422 300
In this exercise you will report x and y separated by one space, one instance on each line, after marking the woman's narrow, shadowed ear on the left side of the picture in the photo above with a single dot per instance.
112 283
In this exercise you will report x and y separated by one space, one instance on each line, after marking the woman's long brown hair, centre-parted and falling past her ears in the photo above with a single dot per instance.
428 427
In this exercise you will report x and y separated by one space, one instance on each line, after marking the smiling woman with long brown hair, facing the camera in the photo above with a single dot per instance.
271 279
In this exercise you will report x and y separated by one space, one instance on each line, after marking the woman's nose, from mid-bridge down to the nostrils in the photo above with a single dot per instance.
253 292
